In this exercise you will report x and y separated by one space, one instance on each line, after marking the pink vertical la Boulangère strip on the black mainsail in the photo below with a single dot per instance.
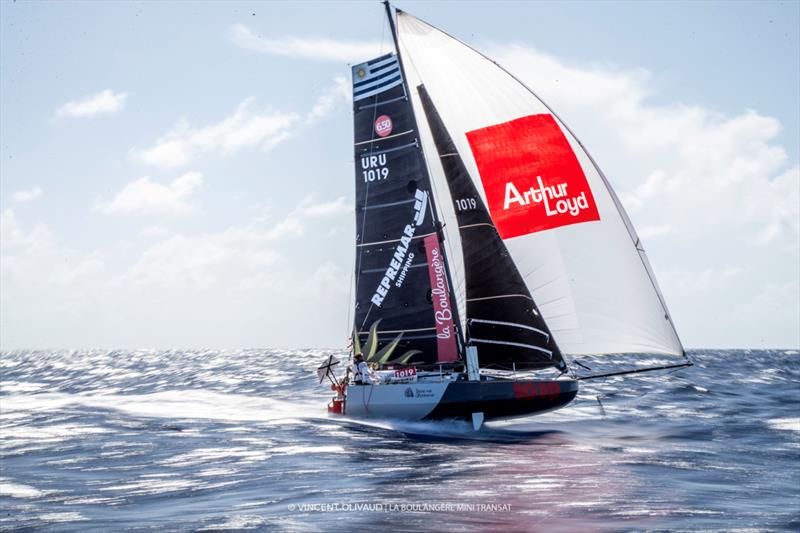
442 308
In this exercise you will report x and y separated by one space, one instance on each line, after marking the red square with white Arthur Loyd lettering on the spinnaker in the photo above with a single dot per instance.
532 179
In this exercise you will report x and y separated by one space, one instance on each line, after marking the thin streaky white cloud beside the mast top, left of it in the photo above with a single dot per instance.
306 47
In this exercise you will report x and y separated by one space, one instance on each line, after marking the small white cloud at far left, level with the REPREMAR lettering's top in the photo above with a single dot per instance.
143 196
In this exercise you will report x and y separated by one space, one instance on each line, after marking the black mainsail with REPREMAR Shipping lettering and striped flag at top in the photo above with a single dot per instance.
395 212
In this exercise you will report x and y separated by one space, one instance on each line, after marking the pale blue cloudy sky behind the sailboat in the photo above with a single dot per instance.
180 175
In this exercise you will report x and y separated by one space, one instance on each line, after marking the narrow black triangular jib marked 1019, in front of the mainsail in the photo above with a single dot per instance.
503 321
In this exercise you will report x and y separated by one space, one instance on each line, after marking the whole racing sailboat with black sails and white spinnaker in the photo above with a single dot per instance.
489 244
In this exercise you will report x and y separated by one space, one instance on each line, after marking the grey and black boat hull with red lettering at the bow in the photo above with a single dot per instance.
458 399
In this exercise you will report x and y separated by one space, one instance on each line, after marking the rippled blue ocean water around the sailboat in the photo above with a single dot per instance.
240 440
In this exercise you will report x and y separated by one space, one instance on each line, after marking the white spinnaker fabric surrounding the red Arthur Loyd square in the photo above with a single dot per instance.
591 281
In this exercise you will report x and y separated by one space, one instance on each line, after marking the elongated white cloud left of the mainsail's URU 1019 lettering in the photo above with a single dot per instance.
246 127
